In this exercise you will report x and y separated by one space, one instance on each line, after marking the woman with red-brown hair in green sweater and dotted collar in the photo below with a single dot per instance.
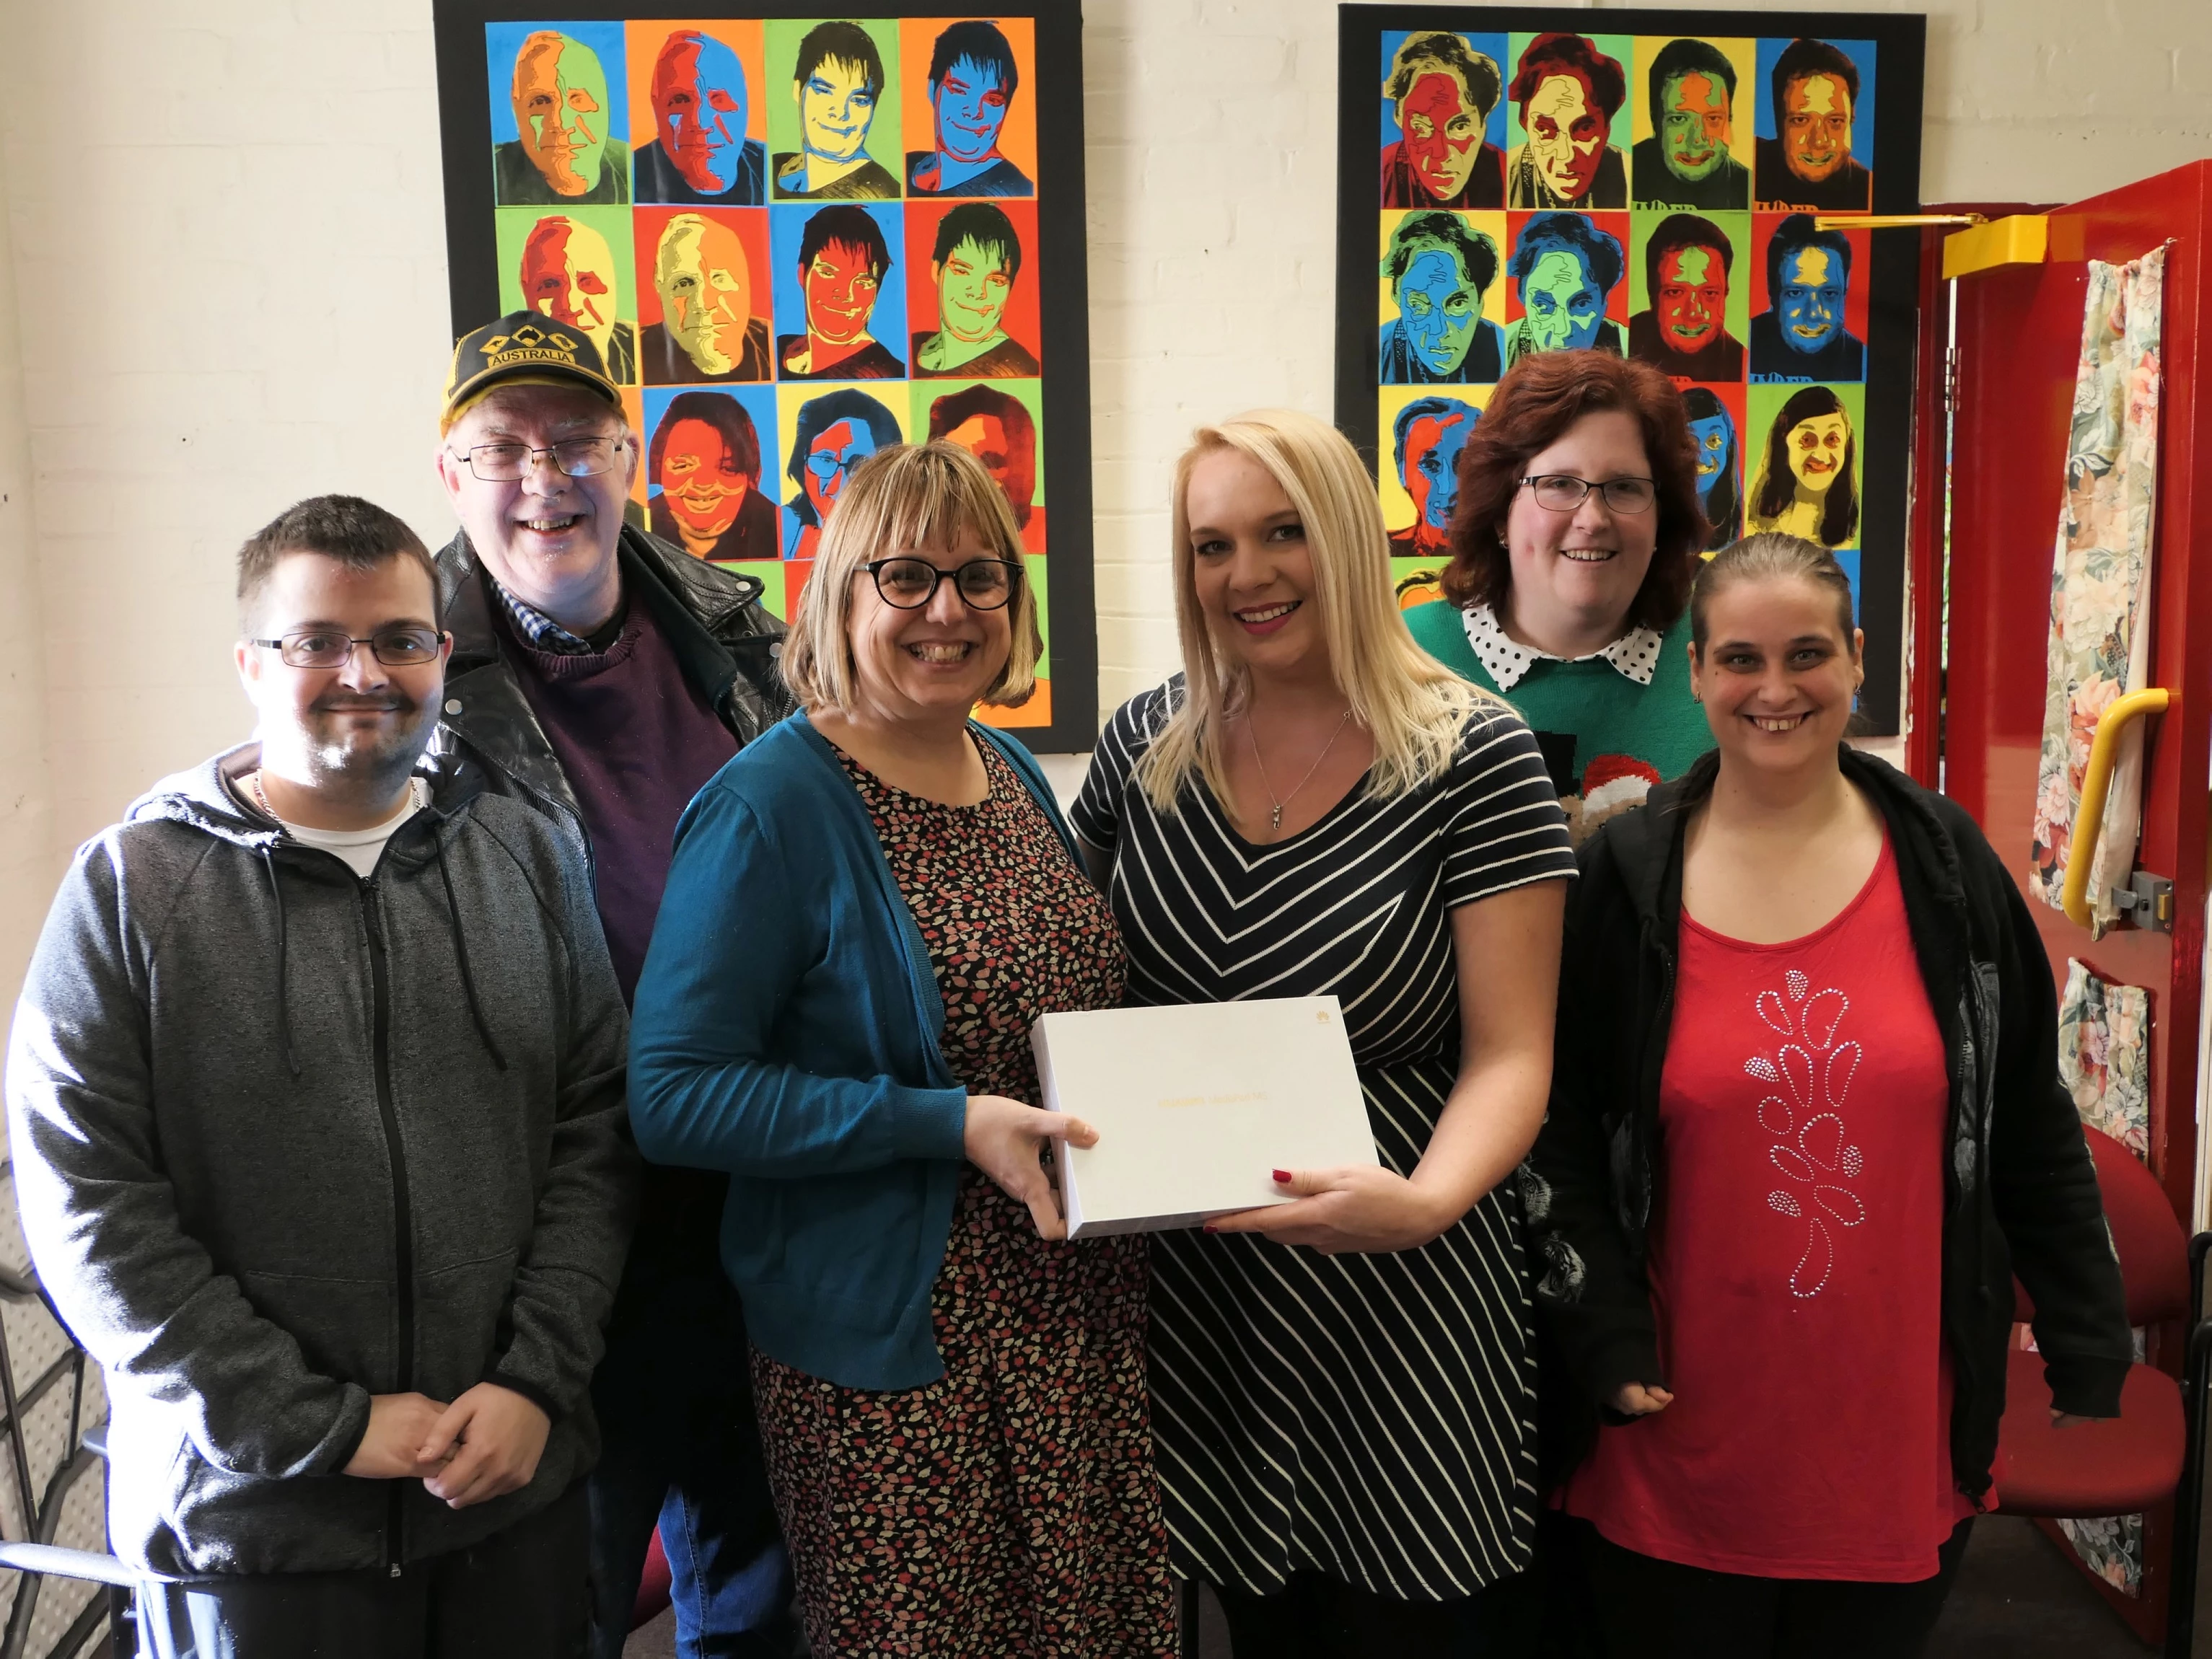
1574 550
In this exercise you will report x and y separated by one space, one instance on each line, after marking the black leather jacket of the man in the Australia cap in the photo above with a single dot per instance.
713 618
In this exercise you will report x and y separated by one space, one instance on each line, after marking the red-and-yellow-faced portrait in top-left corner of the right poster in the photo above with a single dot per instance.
1443 127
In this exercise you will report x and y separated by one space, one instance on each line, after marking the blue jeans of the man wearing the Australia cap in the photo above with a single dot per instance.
680 1450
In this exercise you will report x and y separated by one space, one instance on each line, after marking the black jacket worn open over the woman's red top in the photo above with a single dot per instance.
2021 1191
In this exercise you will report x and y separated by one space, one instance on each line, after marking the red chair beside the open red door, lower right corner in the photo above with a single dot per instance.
2153 1450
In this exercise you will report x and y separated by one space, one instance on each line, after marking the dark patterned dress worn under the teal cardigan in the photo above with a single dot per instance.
1010 1507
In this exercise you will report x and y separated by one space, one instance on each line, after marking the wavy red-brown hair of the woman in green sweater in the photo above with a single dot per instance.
1532 410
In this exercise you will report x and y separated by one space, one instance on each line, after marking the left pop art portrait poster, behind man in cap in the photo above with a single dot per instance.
800 238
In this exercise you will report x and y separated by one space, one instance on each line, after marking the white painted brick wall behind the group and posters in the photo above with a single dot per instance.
229 293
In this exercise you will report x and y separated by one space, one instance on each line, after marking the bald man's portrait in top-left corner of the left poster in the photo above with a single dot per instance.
561 109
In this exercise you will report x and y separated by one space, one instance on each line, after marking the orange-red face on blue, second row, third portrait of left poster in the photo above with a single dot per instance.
839 293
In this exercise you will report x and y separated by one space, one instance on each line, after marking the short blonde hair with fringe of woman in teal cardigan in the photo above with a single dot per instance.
897 501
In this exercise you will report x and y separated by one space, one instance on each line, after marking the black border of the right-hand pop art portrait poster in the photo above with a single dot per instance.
1895 269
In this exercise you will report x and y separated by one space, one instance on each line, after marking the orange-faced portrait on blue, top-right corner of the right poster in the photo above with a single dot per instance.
1815 125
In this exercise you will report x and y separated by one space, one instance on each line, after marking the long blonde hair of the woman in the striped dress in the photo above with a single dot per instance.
1412 705
